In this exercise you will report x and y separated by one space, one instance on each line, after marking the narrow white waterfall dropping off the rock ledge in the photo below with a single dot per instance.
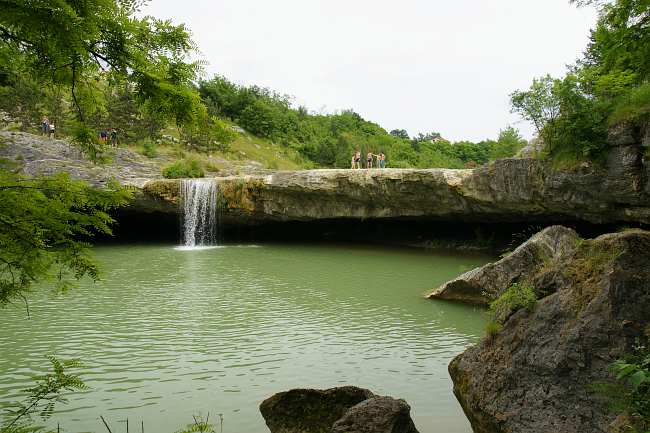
200 217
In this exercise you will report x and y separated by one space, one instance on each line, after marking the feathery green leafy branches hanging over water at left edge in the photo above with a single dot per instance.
45 225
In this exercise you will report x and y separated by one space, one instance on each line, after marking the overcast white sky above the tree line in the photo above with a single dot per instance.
420 65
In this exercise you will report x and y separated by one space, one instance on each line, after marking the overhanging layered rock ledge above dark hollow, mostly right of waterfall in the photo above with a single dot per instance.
508 190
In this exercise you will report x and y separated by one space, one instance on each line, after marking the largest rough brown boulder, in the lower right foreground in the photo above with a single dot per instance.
537 373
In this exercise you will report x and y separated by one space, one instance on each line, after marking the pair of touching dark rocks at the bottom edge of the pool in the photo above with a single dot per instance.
345 409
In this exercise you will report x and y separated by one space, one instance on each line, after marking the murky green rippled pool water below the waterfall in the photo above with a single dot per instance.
171 333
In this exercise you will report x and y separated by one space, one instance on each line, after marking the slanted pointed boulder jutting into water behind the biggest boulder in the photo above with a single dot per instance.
480 285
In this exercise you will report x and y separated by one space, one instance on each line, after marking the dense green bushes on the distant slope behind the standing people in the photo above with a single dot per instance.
330 140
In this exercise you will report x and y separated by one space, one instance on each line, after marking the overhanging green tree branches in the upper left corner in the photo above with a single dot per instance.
71 42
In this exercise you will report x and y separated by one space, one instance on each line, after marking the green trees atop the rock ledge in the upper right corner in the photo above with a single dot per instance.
609 85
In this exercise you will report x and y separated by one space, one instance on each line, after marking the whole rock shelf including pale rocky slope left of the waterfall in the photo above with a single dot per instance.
508 190
